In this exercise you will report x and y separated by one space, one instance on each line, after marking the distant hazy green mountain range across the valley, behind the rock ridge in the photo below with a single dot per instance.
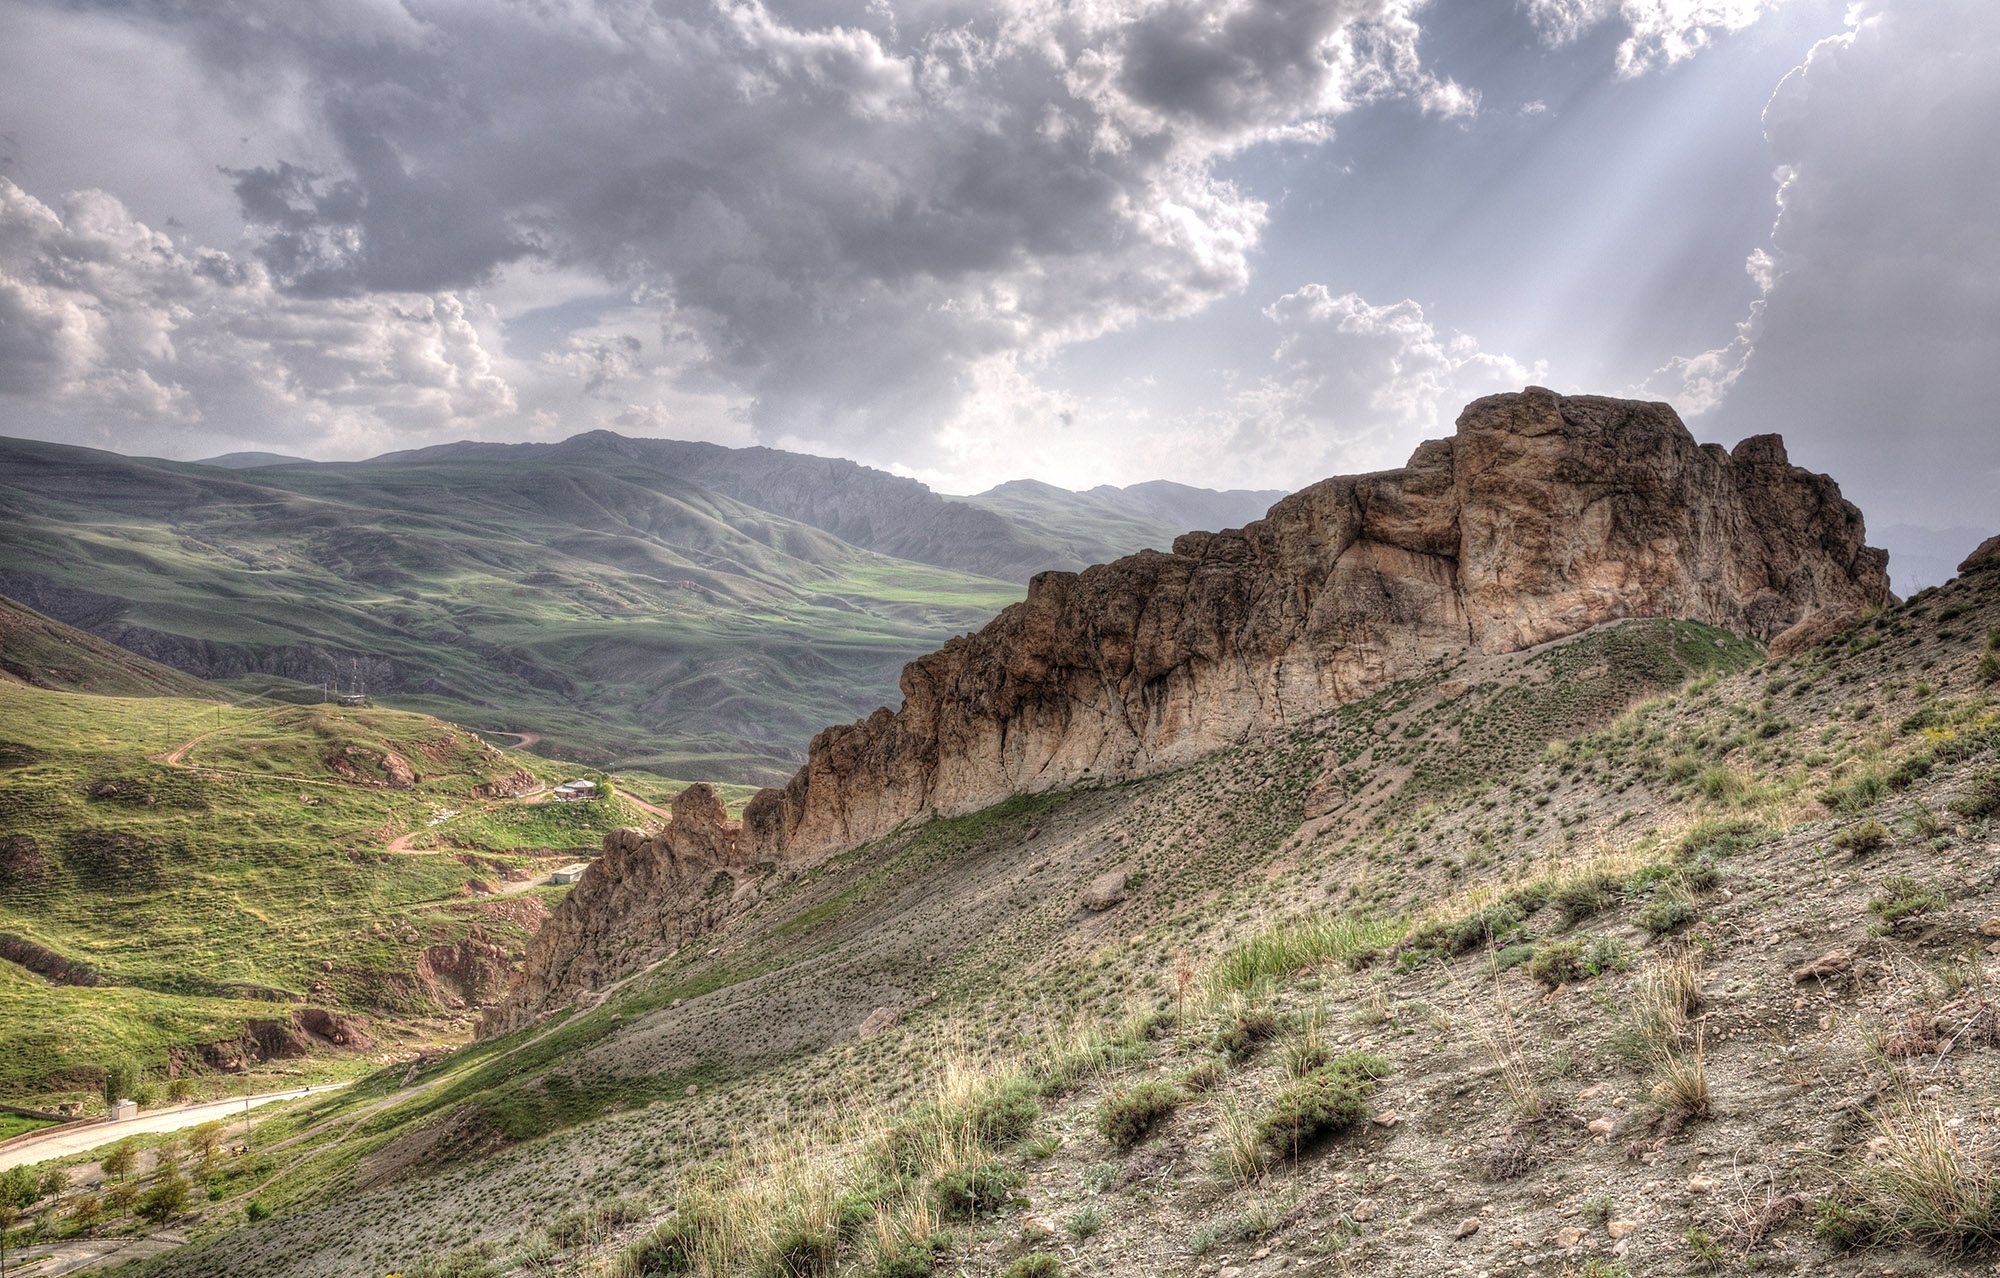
631 603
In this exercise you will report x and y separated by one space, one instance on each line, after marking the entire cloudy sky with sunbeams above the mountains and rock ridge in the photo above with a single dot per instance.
1243 243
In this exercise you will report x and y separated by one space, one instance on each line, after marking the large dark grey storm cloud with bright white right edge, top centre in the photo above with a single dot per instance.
853 213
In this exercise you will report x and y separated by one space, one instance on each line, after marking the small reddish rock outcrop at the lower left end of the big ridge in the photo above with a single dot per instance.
637 903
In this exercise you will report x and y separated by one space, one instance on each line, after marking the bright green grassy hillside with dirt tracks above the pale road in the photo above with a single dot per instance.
257 867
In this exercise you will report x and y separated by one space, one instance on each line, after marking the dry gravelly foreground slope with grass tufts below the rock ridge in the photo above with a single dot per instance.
1737 831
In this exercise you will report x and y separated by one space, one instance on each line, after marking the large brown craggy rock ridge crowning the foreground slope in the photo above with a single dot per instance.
1539 519
